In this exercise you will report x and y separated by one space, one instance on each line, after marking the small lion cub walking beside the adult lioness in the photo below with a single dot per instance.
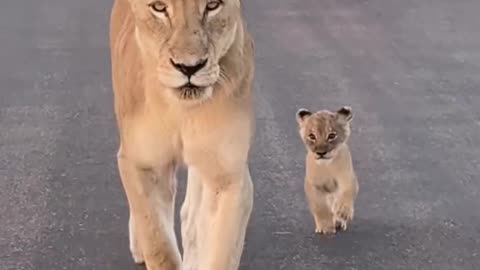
331 185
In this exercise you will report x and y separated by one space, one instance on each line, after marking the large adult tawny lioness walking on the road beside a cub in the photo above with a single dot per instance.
182 73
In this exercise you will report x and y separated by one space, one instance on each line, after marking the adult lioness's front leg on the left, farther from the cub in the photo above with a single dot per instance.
150 194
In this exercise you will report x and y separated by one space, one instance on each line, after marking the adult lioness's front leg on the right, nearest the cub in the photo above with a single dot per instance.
225 211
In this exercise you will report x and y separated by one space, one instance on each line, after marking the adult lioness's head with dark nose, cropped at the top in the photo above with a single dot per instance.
186 39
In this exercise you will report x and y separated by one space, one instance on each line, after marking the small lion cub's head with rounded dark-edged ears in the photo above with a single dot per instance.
324 131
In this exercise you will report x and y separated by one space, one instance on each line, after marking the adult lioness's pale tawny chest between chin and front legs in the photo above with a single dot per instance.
211 134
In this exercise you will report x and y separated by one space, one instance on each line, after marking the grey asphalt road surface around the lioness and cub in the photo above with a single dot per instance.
410 70
